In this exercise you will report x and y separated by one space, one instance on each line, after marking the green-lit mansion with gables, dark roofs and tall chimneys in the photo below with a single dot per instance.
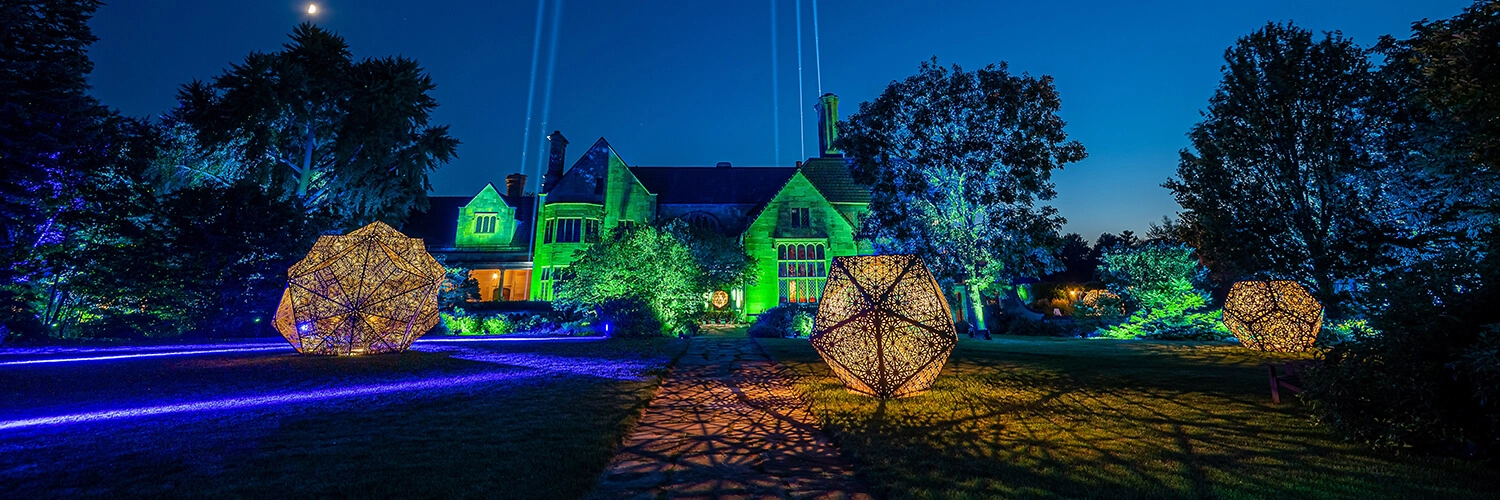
793 220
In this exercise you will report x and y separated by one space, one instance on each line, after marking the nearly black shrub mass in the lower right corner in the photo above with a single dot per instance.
1424 376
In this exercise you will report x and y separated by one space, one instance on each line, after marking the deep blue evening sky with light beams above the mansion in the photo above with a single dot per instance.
689 83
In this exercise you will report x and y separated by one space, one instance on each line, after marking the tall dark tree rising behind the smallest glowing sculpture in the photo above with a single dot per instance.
1280 179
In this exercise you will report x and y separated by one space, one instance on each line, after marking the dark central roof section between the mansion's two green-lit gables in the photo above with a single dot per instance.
712 185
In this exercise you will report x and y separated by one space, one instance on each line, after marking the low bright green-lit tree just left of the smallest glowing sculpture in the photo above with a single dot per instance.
1163 285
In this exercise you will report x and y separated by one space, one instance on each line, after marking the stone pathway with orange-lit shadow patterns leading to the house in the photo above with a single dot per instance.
727 424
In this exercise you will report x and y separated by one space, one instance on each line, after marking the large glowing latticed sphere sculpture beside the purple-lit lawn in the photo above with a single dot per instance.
373 291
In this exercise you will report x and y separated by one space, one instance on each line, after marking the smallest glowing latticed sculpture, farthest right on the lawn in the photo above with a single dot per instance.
1273 316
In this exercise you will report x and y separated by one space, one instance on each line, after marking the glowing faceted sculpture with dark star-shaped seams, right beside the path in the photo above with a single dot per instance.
884 325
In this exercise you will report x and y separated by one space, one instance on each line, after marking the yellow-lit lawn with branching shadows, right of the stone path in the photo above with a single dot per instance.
1069 418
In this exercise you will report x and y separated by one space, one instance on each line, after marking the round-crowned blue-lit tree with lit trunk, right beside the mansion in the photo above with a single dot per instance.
956 163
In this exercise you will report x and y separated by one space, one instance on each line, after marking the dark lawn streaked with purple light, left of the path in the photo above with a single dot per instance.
545 433
